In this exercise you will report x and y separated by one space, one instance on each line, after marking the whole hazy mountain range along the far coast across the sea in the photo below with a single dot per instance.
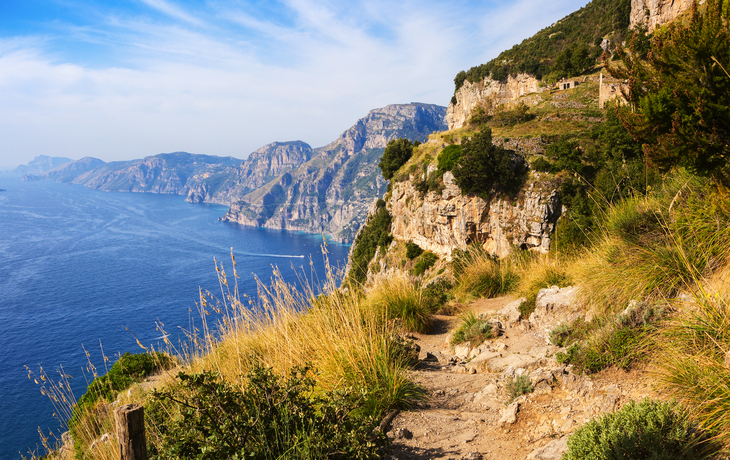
287 185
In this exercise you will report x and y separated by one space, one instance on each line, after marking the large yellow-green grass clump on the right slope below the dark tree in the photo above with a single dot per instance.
654 247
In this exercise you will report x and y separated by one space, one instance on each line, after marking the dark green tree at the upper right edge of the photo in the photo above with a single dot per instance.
681 100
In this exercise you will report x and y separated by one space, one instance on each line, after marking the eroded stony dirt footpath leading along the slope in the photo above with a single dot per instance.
469 414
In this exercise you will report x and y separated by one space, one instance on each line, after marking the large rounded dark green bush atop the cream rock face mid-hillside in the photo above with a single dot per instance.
484 167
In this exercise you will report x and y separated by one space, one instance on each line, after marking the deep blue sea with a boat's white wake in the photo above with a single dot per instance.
78 266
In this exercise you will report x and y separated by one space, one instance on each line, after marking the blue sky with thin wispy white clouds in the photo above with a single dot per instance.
125 79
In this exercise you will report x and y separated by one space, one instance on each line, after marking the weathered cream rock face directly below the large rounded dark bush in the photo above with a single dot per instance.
443 222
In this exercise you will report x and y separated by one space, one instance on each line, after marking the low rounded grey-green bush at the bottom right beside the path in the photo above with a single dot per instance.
647 430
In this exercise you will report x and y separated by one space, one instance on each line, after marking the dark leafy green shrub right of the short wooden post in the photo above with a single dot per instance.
268 417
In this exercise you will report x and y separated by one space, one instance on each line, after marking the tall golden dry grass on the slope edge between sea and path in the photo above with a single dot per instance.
351 345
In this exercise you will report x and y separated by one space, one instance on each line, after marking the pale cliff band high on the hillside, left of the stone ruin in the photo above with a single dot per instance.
470 95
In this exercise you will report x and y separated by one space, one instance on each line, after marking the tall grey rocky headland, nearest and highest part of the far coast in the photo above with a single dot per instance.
331 192
